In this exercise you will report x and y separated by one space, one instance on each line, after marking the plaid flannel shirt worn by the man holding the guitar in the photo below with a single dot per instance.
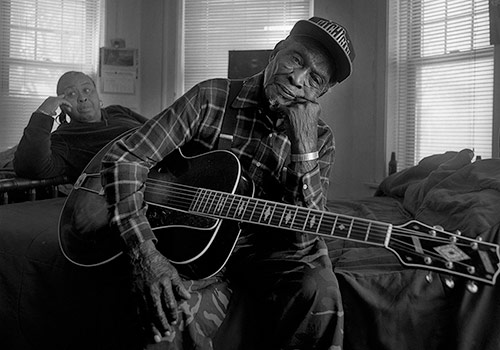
196 118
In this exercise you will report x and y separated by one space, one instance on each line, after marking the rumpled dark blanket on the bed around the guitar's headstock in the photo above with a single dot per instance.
391 307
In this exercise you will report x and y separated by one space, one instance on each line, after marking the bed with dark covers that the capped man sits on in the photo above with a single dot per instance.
48 302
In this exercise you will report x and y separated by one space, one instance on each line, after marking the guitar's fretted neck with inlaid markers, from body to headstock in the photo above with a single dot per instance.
289 217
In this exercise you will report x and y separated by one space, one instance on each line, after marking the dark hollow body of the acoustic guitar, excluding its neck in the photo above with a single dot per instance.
198 246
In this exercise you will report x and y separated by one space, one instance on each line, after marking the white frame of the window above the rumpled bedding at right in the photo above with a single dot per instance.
404 143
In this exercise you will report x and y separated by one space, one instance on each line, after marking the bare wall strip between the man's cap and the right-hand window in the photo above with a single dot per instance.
356 108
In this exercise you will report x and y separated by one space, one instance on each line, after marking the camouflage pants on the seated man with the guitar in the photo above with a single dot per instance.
296 303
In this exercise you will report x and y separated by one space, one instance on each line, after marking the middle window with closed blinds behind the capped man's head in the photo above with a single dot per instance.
213 27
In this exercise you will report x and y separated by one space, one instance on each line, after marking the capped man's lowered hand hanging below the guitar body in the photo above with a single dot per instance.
157 286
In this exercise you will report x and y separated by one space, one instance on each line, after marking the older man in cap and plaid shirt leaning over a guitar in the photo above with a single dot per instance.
286 150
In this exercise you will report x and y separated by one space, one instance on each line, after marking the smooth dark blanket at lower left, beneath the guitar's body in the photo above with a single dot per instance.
48 303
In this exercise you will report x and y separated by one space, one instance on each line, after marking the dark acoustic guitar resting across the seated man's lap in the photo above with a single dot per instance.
195 205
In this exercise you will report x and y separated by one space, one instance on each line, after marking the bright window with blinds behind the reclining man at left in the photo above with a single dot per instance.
40 40
